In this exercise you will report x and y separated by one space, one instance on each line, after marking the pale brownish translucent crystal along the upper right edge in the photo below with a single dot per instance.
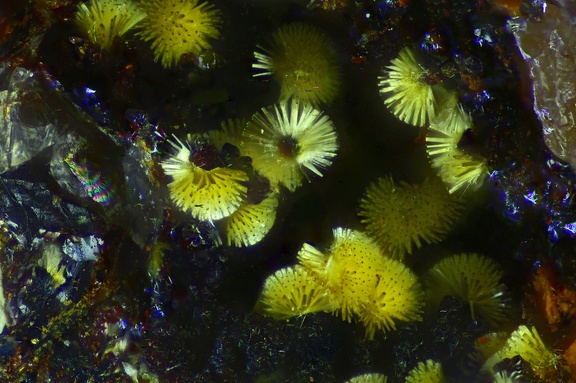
549 47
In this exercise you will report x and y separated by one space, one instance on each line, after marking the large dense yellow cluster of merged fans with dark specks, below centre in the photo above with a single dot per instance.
354 280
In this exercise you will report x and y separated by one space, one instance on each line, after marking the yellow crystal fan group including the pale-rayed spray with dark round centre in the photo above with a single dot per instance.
283 141
